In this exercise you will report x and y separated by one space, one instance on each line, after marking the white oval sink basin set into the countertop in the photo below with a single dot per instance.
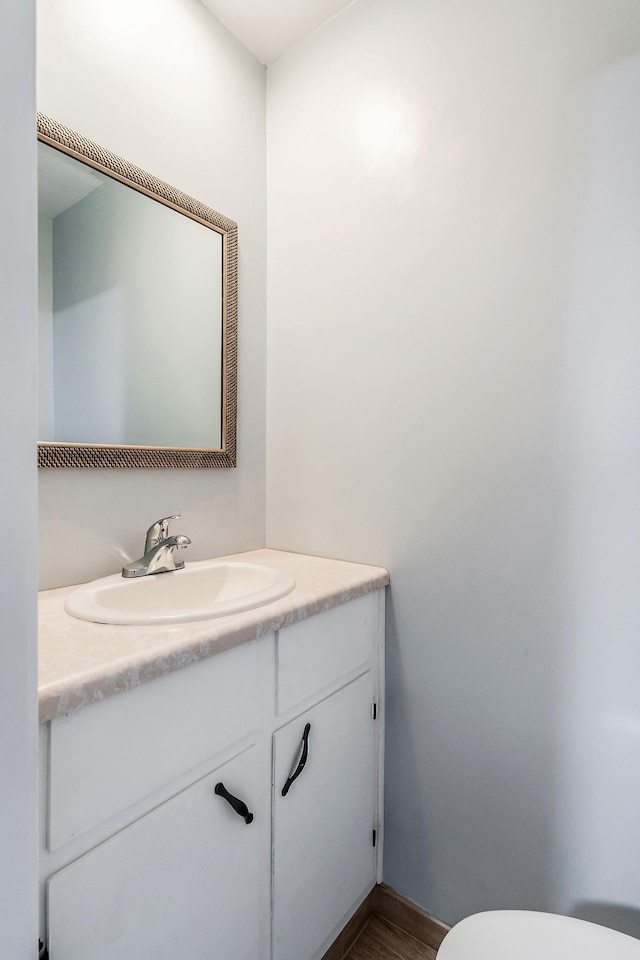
204 589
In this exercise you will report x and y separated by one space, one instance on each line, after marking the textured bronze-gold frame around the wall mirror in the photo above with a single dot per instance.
68 454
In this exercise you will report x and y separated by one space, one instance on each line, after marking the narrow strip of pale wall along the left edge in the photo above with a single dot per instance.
18 710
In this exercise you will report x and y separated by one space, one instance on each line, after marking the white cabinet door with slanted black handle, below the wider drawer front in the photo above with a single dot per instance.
182 883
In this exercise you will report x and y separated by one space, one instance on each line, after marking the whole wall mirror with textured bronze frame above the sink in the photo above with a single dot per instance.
137 303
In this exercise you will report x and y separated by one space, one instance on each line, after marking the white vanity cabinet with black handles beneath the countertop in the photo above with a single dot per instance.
143 858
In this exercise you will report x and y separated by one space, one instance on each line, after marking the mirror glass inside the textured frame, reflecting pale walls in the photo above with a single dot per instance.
130 314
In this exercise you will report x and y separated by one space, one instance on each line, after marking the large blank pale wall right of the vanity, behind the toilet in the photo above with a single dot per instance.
453 357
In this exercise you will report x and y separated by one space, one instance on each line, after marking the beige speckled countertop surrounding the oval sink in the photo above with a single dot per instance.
81 662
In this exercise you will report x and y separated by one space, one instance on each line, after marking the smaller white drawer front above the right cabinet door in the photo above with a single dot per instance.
319 651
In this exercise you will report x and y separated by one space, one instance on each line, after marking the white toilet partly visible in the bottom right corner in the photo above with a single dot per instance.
527 935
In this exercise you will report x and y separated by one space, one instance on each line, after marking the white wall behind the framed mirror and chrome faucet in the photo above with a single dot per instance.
164 85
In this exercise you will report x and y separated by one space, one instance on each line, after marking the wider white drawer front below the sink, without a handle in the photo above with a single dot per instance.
112 754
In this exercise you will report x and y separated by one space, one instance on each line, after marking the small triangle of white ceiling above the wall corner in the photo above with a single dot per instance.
267 27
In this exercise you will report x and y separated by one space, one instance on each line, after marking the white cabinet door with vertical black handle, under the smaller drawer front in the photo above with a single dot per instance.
324 859
